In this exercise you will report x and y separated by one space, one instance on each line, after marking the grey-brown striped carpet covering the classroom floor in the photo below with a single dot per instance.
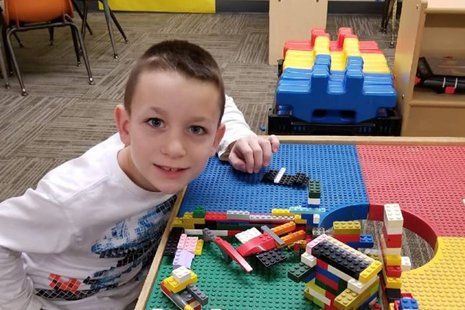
63 116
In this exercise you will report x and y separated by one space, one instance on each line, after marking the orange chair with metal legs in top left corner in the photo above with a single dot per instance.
24 15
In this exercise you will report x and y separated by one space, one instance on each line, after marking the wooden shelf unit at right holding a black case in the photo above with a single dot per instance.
429 28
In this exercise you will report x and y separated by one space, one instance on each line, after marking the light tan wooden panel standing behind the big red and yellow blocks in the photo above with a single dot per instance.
293 20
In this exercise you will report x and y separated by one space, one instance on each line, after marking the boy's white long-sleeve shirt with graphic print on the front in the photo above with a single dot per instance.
85 237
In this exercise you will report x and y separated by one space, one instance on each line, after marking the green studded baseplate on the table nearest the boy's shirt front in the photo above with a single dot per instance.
229 287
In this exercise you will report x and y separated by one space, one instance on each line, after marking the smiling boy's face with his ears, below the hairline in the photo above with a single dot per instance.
171 132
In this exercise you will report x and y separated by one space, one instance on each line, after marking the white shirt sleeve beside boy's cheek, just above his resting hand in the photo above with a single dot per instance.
236 126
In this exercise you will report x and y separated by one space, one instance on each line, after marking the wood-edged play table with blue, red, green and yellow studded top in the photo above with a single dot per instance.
426 176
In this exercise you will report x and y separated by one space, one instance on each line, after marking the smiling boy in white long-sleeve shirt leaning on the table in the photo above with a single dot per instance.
88 233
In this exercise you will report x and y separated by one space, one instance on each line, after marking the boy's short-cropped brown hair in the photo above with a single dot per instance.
183 57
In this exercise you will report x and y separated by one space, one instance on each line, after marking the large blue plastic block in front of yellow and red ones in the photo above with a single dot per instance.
319 95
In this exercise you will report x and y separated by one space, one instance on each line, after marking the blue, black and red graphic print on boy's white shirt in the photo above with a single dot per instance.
133 242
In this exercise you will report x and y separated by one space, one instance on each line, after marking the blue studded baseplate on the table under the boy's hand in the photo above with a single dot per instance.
343 194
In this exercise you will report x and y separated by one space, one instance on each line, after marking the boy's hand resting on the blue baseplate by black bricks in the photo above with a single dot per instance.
251 153
